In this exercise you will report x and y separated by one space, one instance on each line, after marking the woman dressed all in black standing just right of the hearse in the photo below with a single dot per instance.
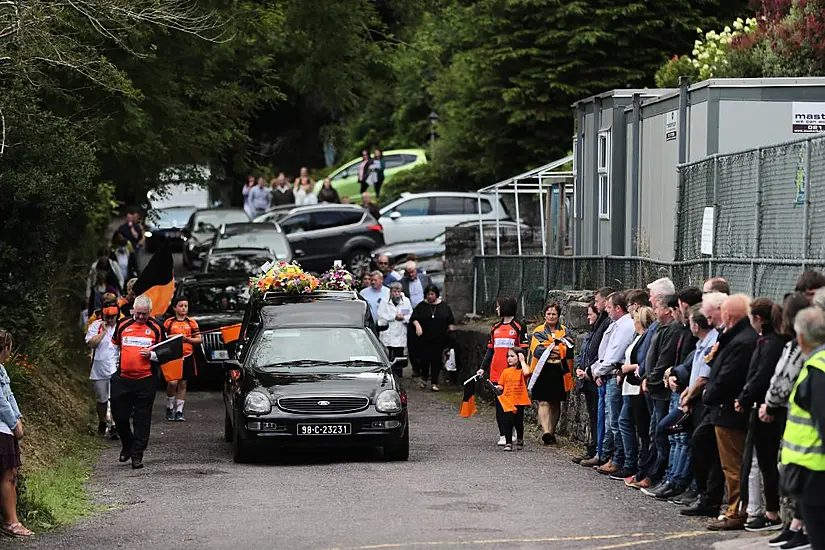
434 324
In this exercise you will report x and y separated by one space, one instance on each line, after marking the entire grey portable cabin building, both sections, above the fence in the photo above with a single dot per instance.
629 143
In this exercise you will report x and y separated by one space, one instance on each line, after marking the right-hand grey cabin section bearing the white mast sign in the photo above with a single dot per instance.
721 116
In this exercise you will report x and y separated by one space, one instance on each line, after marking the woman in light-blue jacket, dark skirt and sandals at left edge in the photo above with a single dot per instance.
11 432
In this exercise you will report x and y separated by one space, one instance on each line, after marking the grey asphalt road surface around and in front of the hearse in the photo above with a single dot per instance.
457 490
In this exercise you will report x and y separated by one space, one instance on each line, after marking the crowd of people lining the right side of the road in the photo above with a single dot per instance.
691 395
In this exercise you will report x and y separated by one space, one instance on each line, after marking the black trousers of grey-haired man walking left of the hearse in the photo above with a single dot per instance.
132 402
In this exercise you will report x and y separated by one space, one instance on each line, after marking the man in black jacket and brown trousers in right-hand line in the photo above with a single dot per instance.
727 378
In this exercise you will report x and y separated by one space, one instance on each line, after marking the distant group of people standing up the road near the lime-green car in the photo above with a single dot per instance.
259 196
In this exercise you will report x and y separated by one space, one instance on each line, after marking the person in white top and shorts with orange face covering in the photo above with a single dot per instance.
104 360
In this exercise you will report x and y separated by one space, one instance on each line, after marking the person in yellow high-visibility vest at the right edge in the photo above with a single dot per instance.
803 451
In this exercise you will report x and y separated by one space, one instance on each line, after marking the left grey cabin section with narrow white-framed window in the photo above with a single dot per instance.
600 149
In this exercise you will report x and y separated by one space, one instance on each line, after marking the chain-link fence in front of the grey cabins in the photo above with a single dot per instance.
768 211
